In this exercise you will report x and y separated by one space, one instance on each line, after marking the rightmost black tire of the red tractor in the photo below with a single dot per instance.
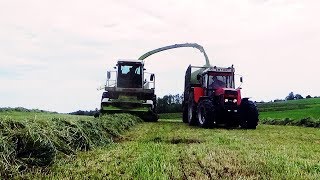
249 114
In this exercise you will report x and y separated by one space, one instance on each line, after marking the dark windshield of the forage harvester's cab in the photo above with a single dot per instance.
129 75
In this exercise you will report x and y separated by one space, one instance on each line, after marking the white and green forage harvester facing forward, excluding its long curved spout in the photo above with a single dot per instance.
130 89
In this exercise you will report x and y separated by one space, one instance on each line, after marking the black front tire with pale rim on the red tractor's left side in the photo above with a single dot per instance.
206 114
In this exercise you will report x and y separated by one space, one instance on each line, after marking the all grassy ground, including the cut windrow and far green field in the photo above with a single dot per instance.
168 149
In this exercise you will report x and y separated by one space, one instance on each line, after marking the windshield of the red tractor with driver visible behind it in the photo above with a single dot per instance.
224 80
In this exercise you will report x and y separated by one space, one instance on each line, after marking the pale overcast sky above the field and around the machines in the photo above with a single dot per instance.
54 54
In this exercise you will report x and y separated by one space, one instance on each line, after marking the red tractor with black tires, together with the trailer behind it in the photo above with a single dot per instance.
211 99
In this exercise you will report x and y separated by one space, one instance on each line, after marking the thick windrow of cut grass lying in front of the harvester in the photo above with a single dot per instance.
38 142
